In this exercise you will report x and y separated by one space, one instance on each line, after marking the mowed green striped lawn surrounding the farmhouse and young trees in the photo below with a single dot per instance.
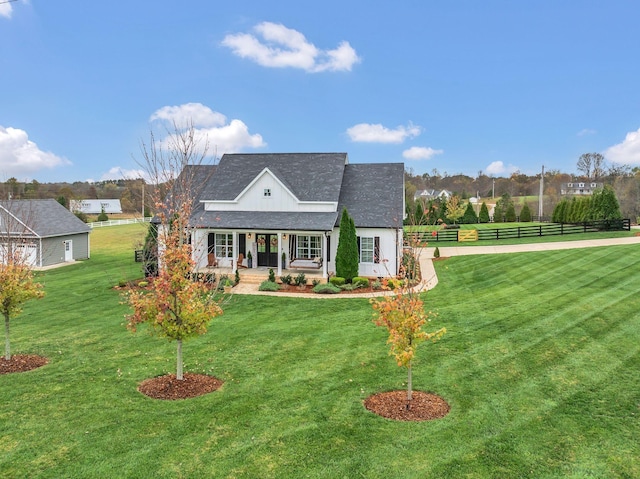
539 365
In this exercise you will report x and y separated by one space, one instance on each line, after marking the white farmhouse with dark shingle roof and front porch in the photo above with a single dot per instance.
270 204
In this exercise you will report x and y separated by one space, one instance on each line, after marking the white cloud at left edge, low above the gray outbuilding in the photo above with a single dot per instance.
20 156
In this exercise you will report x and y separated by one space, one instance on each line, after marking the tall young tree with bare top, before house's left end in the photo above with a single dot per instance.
177 307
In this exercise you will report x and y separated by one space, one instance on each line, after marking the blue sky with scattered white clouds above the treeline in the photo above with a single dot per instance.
460 86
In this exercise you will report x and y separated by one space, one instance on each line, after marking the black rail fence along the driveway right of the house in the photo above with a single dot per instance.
546 229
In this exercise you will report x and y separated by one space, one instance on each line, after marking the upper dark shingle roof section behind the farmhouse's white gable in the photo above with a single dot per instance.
309 176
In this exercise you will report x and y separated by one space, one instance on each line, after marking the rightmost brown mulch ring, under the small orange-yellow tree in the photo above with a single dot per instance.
394 405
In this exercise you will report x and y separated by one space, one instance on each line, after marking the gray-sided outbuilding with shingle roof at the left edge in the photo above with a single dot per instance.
44 231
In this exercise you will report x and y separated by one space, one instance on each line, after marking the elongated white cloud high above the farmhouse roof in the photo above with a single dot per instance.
282 47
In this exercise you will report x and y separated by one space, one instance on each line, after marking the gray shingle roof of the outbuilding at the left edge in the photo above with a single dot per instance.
45 217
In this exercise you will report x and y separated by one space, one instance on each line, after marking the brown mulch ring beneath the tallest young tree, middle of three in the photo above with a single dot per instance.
171 388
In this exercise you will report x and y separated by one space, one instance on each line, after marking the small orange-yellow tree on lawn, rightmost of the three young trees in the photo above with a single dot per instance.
404 317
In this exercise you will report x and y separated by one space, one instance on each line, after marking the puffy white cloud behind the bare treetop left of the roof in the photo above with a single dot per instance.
210 127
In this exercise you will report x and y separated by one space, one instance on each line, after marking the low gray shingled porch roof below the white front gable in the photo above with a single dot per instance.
257 220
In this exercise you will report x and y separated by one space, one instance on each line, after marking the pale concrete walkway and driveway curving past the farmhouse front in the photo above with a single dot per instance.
429 277
